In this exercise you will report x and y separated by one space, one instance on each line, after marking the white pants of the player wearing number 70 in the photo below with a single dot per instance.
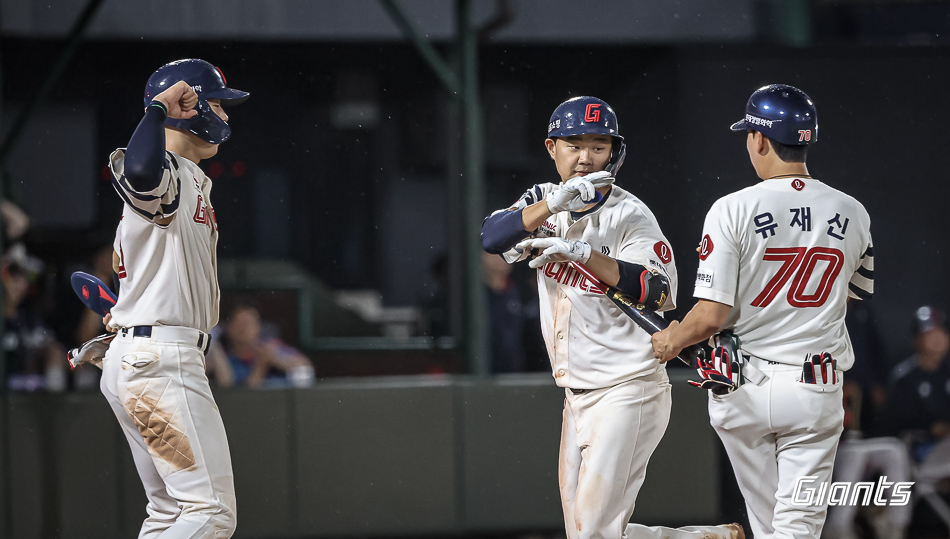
775 434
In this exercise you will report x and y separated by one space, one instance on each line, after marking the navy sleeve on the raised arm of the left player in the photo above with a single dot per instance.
145 156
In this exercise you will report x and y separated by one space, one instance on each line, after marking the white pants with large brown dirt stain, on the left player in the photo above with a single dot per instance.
159 392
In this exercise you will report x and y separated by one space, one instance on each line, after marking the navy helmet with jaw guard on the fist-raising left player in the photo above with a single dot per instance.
208 82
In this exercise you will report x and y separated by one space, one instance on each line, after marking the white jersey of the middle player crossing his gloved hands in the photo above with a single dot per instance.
590 342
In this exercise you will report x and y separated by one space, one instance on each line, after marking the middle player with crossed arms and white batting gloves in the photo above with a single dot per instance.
617 396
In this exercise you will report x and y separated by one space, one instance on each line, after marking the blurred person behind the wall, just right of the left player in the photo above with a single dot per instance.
256 359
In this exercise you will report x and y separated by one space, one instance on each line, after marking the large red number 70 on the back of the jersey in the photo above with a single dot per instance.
801 262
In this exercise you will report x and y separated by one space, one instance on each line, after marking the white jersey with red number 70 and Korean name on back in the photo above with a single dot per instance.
786 254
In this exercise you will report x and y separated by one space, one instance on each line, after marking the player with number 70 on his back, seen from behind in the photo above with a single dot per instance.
777 264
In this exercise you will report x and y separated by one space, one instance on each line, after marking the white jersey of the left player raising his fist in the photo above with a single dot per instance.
166 242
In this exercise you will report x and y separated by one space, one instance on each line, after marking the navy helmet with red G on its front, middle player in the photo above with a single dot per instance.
587 115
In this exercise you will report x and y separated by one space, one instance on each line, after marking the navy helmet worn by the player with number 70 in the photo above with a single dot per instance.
783 113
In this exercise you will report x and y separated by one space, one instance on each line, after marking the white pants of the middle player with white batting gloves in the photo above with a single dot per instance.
607 438
